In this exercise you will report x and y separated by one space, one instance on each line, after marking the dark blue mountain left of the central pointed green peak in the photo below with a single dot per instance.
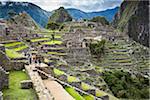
39 15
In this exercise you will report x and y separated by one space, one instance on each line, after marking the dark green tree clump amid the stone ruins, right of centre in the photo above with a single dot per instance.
97 48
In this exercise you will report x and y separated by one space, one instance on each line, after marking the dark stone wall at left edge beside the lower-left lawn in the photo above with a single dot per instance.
4 79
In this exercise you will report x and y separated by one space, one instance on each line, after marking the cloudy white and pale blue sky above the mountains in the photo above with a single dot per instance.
84 5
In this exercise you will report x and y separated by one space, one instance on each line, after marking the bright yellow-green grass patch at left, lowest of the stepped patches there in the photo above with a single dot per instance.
13 54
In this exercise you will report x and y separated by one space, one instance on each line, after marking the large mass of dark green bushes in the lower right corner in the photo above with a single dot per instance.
124 85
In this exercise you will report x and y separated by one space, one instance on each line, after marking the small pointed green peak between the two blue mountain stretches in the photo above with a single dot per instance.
60 15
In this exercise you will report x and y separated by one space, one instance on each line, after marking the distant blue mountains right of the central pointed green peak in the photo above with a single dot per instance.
78 14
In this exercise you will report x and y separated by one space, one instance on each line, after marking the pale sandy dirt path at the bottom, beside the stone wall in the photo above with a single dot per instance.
57 90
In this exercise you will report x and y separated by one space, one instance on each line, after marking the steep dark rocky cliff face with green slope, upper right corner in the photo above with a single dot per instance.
133 18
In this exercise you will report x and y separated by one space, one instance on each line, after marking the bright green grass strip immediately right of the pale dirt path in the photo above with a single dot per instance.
74 93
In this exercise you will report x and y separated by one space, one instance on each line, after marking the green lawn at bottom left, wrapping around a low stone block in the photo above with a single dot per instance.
15 92
